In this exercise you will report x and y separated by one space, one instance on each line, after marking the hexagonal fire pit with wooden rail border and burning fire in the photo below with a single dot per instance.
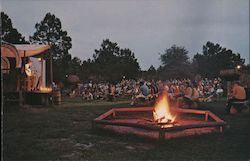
159 122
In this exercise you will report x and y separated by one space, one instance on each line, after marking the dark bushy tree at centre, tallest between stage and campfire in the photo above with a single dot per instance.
112 63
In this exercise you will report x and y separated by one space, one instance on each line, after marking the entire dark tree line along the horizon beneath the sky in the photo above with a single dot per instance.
112 63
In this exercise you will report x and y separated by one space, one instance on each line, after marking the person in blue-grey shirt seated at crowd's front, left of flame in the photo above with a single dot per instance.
142 93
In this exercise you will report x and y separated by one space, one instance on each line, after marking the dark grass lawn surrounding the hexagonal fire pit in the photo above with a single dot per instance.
64 133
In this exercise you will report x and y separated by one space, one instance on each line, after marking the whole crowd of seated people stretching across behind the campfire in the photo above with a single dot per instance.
180 91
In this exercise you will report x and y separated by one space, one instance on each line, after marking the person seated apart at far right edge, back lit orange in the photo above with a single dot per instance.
238 95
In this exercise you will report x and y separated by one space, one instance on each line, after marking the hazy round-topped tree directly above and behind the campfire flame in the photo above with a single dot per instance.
175 63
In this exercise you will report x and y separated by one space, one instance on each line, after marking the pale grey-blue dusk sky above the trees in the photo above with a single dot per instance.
147 27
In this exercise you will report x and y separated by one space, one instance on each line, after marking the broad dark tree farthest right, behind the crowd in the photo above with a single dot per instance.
215 58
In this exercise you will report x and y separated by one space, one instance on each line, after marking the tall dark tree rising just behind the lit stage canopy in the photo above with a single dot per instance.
49 31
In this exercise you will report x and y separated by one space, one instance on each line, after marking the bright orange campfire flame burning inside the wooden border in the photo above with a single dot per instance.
161 112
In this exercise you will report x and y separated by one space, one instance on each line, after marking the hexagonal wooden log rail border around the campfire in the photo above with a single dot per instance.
220 124
